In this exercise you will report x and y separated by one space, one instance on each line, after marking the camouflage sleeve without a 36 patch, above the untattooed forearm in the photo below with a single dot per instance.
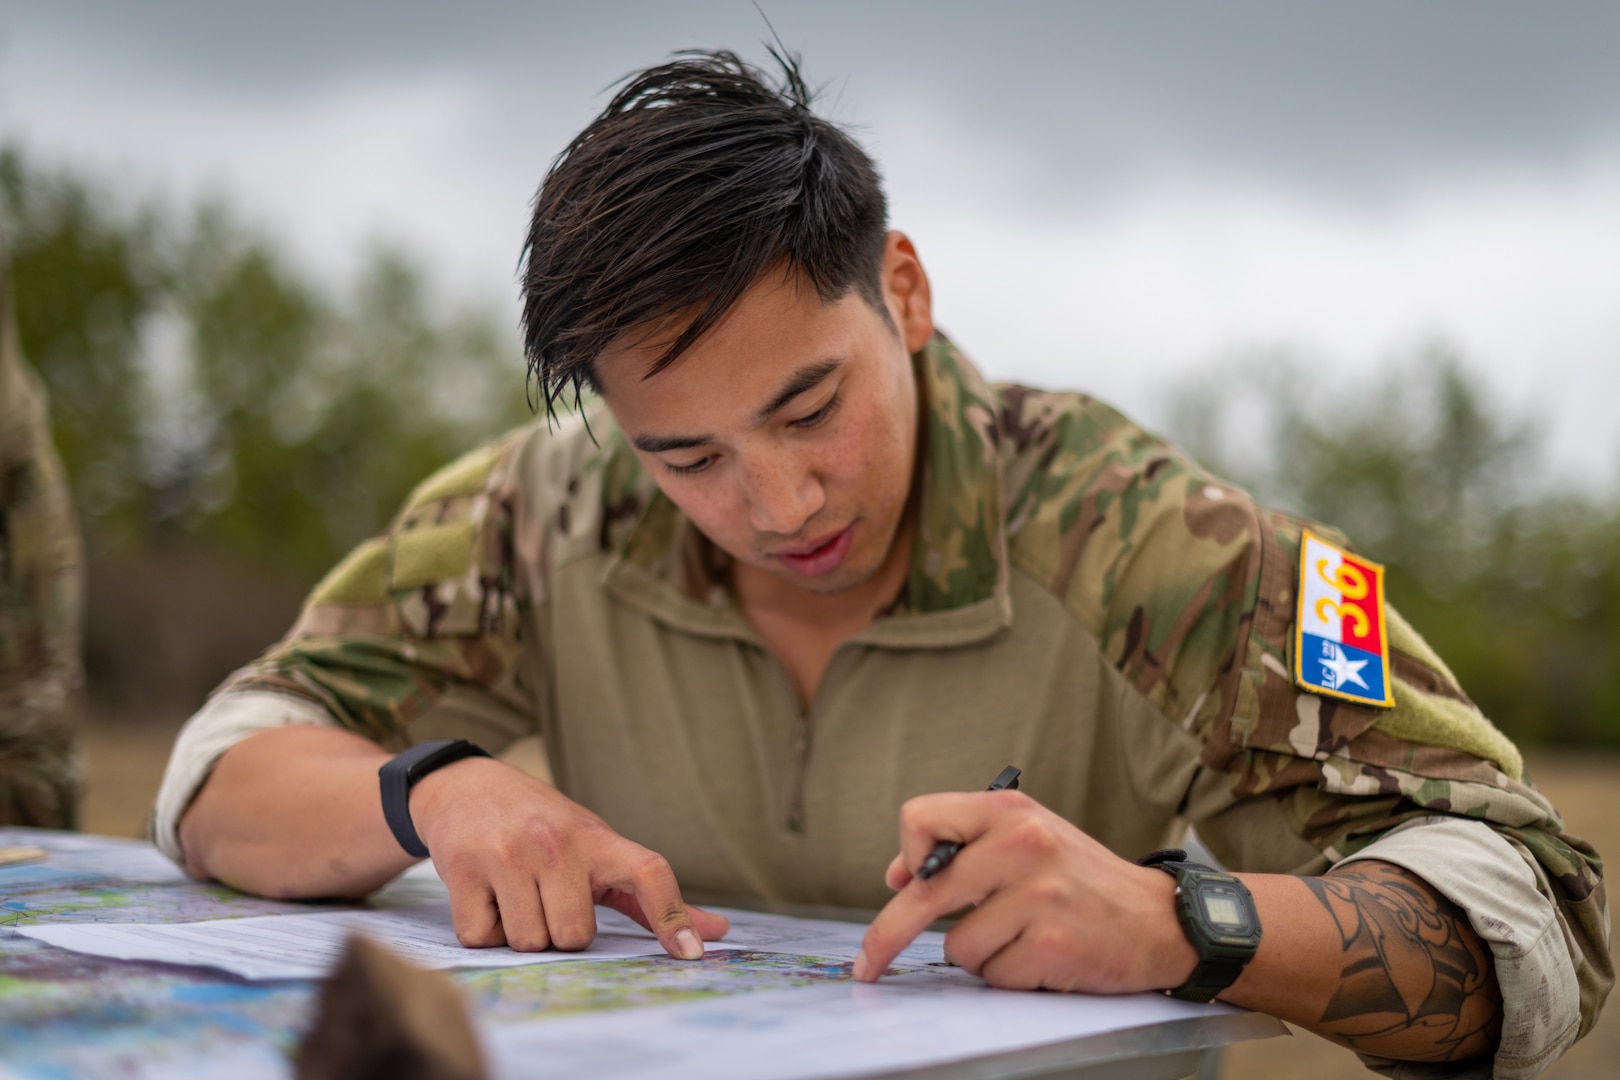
419 634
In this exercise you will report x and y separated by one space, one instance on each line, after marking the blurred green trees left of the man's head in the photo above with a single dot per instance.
205 388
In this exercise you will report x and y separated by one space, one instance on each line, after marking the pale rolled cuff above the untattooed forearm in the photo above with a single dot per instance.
215 729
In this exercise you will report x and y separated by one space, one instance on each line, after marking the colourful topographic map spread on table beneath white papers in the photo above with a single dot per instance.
67 1014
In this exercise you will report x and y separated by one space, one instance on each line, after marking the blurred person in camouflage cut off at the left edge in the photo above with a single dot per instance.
41 679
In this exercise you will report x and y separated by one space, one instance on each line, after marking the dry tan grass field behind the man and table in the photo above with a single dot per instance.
126 763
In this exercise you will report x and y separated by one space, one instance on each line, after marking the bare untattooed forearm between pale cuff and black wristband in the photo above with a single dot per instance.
294 812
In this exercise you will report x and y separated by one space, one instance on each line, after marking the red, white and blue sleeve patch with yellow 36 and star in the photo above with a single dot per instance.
1341 647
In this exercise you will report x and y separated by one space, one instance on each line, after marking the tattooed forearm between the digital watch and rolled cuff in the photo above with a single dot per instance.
1373 958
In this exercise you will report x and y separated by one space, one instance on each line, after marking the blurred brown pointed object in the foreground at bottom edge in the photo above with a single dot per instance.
382 1018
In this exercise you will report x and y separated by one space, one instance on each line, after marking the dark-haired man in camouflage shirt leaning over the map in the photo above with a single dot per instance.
803 571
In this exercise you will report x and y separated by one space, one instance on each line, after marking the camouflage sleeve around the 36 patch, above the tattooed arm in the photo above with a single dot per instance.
1344 776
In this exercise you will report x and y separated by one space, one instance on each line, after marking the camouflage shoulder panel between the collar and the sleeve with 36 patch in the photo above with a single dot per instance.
1151 553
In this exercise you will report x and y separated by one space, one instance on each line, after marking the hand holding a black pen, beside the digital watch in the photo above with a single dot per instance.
1052 908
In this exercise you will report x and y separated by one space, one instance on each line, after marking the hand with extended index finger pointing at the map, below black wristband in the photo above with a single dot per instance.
527 867
